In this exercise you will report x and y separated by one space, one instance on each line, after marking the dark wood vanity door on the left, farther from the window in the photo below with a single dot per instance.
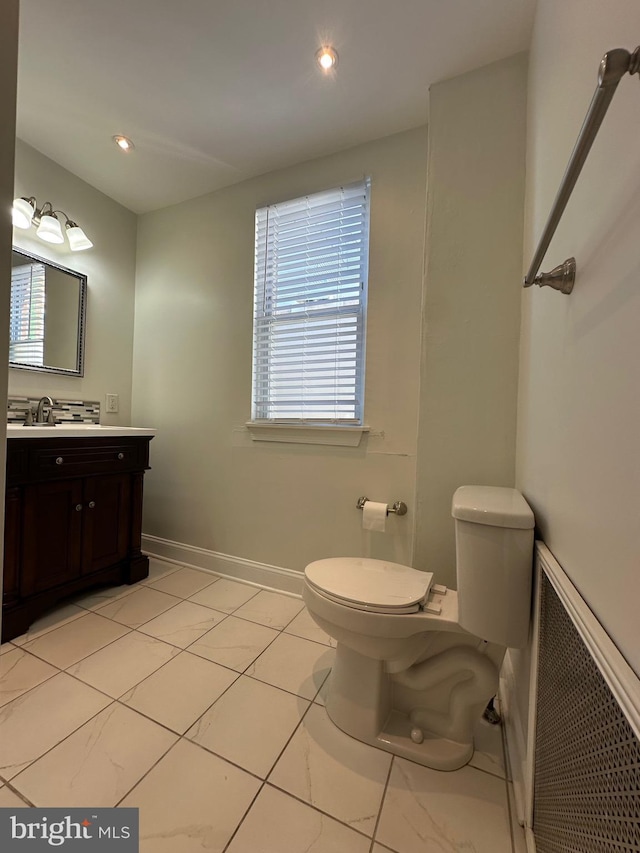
51 535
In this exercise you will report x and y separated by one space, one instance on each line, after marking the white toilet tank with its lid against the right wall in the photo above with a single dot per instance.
494 555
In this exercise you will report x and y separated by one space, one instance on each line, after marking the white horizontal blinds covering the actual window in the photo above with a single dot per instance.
310 299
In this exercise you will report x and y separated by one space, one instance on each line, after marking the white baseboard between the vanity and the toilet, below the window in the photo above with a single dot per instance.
262 574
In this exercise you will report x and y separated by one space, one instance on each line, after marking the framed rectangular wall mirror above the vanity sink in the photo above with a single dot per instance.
47 319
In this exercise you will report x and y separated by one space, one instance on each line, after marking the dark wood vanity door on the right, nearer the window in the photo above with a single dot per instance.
106 530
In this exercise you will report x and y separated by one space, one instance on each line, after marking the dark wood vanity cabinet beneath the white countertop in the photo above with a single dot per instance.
73 519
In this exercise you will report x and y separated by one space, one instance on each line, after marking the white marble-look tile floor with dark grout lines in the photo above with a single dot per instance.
199 700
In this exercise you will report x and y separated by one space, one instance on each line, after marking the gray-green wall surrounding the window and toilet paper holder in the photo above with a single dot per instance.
213 487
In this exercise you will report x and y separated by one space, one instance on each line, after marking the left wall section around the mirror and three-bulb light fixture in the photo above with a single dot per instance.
110 270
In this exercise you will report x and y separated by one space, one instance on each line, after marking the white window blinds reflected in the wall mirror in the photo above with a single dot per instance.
26 335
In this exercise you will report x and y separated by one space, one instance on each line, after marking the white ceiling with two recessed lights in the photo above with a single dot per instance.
215 91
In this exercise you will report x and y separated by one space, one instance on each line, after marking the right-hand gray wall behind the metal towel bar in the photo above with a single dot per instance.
579 406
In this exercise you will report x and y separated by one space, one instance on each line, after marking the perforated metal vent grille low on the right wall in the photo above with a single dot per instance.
587 758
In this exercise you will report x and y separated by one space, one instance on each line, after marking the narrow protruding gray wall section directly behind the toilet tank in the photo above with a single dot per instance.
471 311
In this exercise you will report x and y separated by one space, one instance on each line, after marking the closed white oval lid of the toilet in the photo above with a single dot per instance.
370 584
